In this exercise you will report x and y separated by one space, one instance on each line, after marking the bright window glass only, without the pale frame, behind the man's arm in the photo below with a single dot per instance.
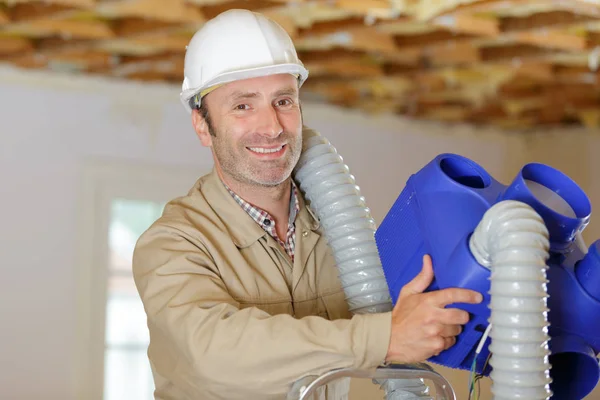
127 374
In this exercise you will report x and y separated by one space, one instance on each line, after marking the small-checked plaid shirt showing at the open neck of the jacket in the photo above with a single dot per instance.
264 220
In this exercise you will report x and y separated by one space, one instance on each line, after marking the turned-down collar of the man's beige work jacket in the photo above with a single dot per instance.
243 229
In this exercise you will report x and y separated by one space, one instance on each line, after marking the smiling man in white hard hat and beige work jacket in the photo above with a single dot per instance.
237 280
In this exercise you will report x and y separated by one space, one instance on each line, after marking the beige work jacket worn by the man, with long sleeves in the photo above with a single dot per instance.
229 315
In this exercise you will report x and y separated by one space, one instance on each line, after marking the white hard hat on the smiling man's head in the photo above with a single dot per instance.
237 44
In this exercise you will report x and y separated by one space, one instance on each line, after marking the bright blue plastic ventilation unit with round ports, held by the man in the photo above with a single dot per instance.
436 213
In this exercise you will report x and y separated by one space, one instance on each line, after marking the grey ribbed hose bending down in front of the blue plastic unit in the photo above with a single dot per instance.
512 241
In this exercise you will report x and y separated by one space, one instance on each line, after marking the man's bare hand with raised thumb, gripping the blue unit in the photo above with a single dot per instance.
421 326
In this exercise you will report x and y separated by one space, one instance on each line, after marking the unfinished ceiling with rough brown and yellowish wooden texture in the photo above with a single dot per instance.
512 63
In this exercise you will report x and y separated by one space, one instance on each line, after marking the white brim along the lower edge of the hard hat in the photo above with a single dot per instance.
291 68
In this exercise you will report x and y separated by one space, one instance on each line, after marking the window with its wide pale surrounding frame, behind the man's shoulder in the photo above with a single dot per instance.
119 202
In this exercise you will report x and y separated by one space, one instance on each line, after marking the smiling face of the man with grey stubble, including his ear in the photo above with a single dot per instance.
257 129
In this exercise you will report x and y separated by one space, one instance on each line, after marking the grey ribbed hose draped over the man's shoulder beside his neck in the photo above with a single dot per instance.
336 200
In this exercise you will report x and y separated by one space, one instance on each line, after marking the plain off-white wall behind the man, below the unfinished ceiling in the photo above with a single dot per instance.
52 125
